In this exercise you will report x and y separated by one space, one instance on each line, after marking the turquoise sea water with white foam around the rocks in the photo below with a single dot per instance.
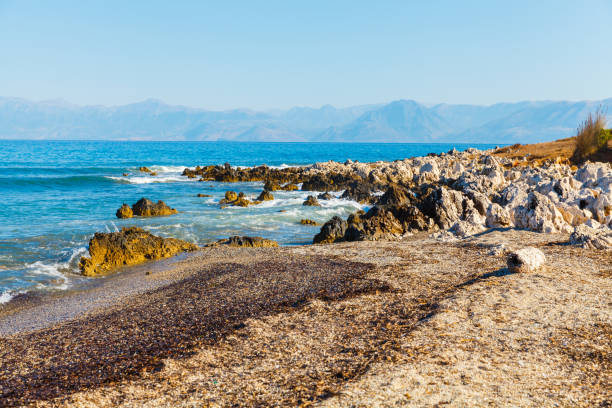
55 194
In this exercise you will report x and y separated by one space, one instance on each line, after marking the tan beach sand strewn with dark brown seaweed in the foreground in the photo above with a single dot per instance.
415 322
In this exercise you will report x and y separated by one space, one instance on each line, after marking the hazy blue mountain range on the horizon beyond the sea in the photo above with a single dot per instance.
398 121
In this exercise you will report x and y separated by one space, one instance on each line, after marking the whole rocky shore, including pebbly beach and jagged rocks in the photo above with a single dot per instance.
473 279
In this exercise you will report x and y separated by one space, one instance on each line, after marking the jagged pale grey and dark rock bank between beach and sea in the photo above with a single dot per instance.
454 194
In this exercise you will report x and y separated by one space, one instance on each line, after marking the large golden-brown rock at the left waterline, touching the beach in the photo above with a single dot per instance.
108 251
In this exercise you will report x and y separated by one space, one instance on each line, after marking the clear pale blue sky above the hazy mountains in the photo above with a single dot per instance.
277 54
